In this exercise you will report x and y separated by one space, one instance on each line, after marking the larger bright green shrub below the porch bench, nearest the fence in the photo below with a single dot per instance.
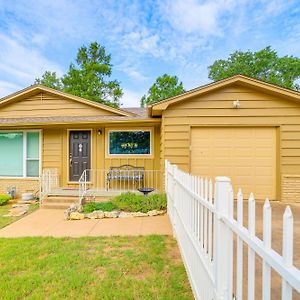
133 203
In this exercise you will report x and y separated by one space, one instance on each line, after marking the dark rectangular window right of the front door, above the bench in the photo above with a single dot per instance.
129 142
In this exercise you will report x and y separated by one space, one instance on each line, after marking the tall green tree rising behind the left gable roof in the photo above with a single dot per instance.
88 77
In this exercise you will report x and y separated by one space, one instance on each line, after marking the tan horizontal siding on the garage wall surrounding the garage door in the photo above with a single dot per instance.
215 109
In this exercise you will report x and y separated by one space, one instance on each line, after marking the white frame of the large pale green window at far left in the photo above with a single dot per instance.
25 159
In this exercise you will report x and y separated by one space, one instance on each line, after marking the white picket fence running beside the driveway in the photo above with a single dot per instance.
208 235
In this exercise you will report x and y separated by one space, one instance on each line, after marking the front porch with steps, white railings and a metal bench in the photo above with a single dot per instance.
95 185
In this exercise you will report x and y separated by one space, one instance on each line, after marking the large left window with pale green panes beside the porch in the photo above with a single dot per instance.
20 154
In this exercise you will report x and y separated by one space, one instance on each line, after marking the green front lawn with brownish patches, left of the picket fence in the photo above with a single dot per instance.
147 267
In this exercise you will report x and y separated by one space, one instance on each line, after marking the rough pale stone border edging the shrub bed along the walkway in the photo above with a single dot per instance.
73 213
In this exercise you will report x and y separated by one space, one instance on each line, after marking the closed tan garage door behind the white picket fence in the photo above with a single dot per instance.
246 155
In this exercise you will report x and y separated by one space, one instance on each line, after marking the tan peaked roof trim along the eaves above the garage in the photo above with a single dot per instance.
156 109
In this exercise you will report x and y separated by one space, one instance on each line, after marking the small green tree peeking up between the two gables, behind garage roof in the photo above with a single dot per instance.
165 86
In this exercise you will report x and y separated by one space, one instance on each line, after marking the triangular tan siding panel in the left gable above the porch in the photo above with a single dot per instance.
46 104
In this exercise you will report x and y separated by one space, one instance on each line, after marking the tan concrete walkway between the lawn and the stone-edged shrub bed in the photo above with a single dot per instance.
50 222
